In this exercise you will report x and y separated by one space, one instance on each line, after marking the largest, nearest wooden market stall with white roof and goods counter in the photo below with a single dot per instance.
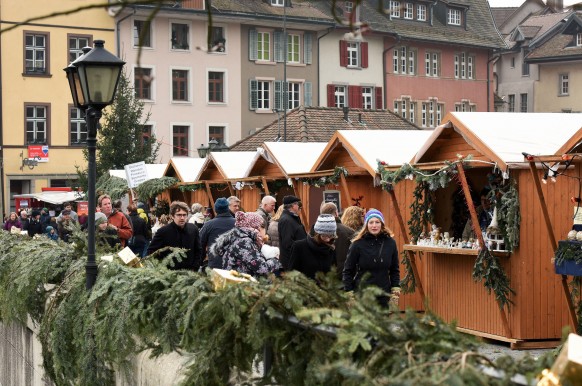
470 151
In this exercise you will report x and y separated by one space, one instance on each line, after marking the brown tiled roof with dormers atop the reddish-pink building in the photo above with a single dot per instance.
480 31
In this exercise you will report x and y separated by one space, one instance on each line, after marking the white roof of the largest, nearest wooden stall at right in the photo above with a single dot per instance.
508 135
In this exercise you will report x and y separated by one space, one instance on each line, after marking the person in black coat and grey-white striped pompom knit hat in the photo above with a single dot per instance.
316 254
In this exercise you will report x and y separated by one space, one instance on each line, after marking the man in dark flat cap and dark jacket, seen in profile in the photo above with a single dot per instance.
290 229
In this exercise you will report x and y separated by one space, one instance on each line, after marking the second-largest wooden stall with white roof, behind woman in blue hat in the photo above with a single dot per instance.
358 153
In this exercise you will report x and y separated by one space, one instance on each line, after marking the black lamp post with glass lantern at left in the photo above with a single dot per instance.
93 79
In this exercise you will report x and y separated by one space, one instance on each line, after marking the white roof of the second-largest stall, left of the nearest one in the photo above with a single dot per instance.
395 147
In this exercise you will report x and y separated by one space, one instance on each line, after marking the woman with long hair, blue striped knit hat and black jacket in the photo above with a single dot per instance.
374 254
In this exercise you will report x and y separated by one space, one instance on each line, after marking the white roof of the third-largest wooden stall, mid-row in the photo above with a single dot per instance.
294 157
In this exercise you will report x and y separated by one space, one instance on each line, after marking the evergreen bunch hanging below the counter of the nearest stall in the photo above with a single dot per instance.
488 269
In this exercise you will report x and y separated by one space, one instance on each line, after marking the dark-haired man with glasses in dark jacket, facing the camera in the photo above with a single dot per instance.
179 234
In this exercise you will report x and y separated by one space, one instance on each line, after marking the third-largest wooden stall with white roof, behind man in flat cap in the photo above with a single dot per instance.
277 163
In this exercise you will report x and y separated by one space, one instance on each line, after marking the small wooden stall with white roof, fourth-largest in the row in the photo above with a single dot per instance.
221 176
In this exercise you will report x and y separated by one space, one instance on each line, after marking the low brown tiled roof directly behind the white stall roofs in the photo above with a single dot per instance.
318 124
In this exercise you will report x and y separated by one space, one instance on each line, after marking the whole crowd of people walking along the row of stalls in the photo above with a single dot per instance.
270 240
